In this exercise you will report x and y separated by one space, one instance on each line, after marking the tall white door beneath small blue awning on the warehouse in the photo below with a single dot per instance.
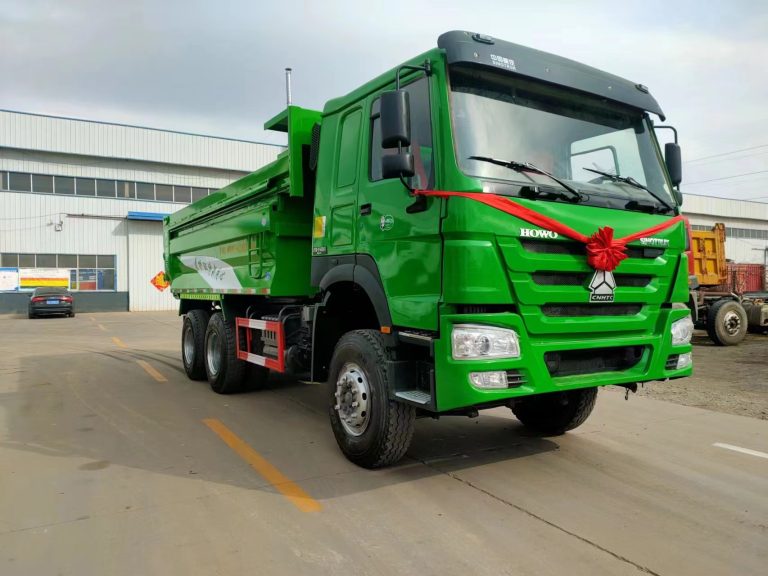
145 260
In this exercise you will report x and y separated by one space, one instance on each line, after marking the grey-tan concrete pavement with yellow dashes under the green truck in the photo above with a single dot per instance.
106 469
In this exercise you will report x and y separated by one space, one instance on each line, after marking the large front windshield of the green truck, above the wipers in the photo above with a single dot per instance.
564 133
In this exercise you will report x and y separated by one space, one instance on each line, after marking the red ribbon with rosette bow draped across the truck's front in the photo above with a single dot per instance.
604 252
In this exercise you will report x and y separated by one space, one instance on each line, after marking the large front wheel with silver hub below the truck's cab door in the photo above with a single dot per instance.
380 435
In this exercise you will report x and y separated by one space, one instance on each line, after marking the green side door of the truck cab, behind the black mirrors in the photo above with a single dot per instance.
405 248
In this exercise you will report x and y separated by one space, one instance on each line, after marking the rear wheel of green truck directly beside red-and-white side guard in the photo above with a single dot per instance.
225 372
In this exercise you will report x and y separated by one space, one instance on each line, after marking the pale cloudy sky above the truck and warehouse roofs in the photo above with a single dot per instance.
218 67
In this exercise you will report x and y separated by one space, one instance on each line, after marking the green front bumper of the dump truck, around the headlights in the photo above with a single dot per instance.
556 362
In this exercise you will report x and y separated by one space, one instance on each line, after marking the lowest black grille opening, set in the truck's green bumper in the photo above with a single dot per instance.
593 360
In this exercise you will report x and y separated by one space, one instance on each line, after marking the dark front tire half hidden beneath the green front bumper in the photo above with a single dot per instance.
556 413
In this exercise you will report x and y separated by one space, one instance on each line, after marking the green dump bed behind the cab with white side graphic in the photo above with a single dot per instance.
253 236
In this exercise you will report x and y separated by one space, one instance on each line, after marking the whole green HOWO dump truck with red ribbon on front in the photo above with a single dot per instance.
485 225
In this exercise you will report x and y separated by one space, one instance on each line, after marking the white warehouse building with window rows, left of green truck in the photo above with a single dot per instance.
82 202
